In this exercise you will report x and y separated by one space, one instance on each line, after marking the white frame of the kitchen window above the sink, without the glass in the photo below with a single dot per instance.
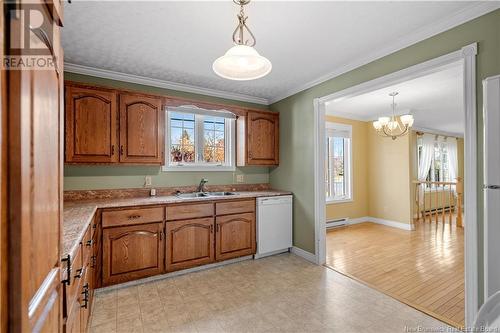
229 145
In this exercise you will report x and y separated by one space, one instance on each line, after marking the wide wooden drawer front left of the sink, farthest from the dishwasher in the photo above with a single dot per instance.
132 216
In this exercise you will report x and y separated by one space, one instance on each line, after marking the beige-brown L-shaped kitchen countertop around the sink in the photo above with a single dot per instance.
79 214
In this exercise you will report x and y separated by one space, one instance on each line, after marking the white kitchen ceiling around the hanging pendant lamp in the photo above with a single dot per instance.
177 41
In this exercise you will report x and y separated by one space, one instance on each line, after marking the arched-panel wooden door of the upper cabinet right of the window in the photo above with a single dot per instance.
262 138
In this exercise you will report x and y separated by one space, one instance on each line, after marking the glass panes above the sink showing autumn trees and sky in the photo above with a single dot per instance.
183 140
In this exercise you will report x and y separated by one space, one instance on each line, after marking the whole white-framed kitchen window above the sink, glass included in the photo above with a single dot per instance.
199 139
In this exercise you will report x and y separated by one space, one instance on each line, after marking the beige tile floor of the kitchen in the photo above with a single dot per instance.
277 294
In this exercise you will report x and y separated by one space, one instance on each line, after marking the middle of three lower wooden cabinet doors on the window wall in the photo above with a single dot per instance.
189 243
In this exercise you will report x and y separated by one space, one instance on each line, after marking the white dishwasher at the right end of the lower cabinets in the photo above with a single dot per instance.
274 225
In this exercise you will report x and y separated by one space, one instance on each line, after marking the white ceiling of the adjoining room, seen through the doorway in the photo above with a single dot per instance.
435 100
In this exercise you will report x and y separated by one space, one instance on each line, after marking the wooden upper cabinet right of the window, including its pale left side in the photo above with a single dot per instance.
258 139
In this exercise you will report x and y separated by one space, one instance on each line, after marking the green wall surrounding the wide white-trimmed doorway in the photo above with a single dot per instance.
295 172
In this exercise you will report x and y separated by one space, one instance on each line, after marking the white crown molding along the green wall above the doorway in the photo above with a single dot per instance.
468 13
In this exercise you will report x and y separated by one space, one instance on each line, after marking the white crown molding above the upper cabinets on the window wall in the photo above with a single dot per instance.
119 76
